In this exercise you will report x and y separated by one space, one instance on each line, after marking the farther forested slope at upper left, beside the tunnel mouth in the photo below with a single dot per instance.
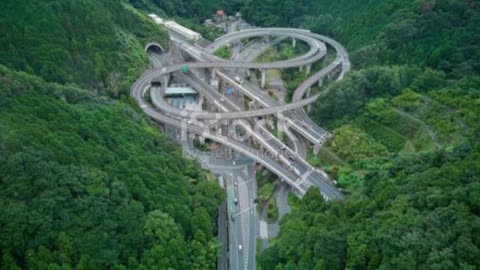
96 44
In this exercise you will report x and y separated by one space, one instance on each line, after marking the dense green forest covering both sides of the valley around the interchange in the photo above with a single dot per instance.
88 182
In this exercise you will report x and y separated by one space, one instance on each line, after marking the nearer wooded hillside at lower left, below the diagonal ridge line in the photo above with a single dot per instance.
89 183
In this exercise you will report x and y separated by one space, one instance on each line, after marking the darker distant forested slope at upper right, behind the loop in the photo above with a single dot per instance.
441 34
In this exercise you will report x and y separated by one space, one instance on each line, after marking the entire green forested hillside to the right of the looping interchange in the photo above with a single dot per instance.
406 126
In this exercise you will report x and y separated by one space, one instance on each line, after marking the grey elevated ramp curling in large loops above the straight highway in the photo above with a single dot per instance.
302 171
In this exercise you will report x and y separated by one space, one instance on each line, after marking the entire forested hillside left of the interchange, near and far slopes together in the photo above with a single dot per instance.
86 181
